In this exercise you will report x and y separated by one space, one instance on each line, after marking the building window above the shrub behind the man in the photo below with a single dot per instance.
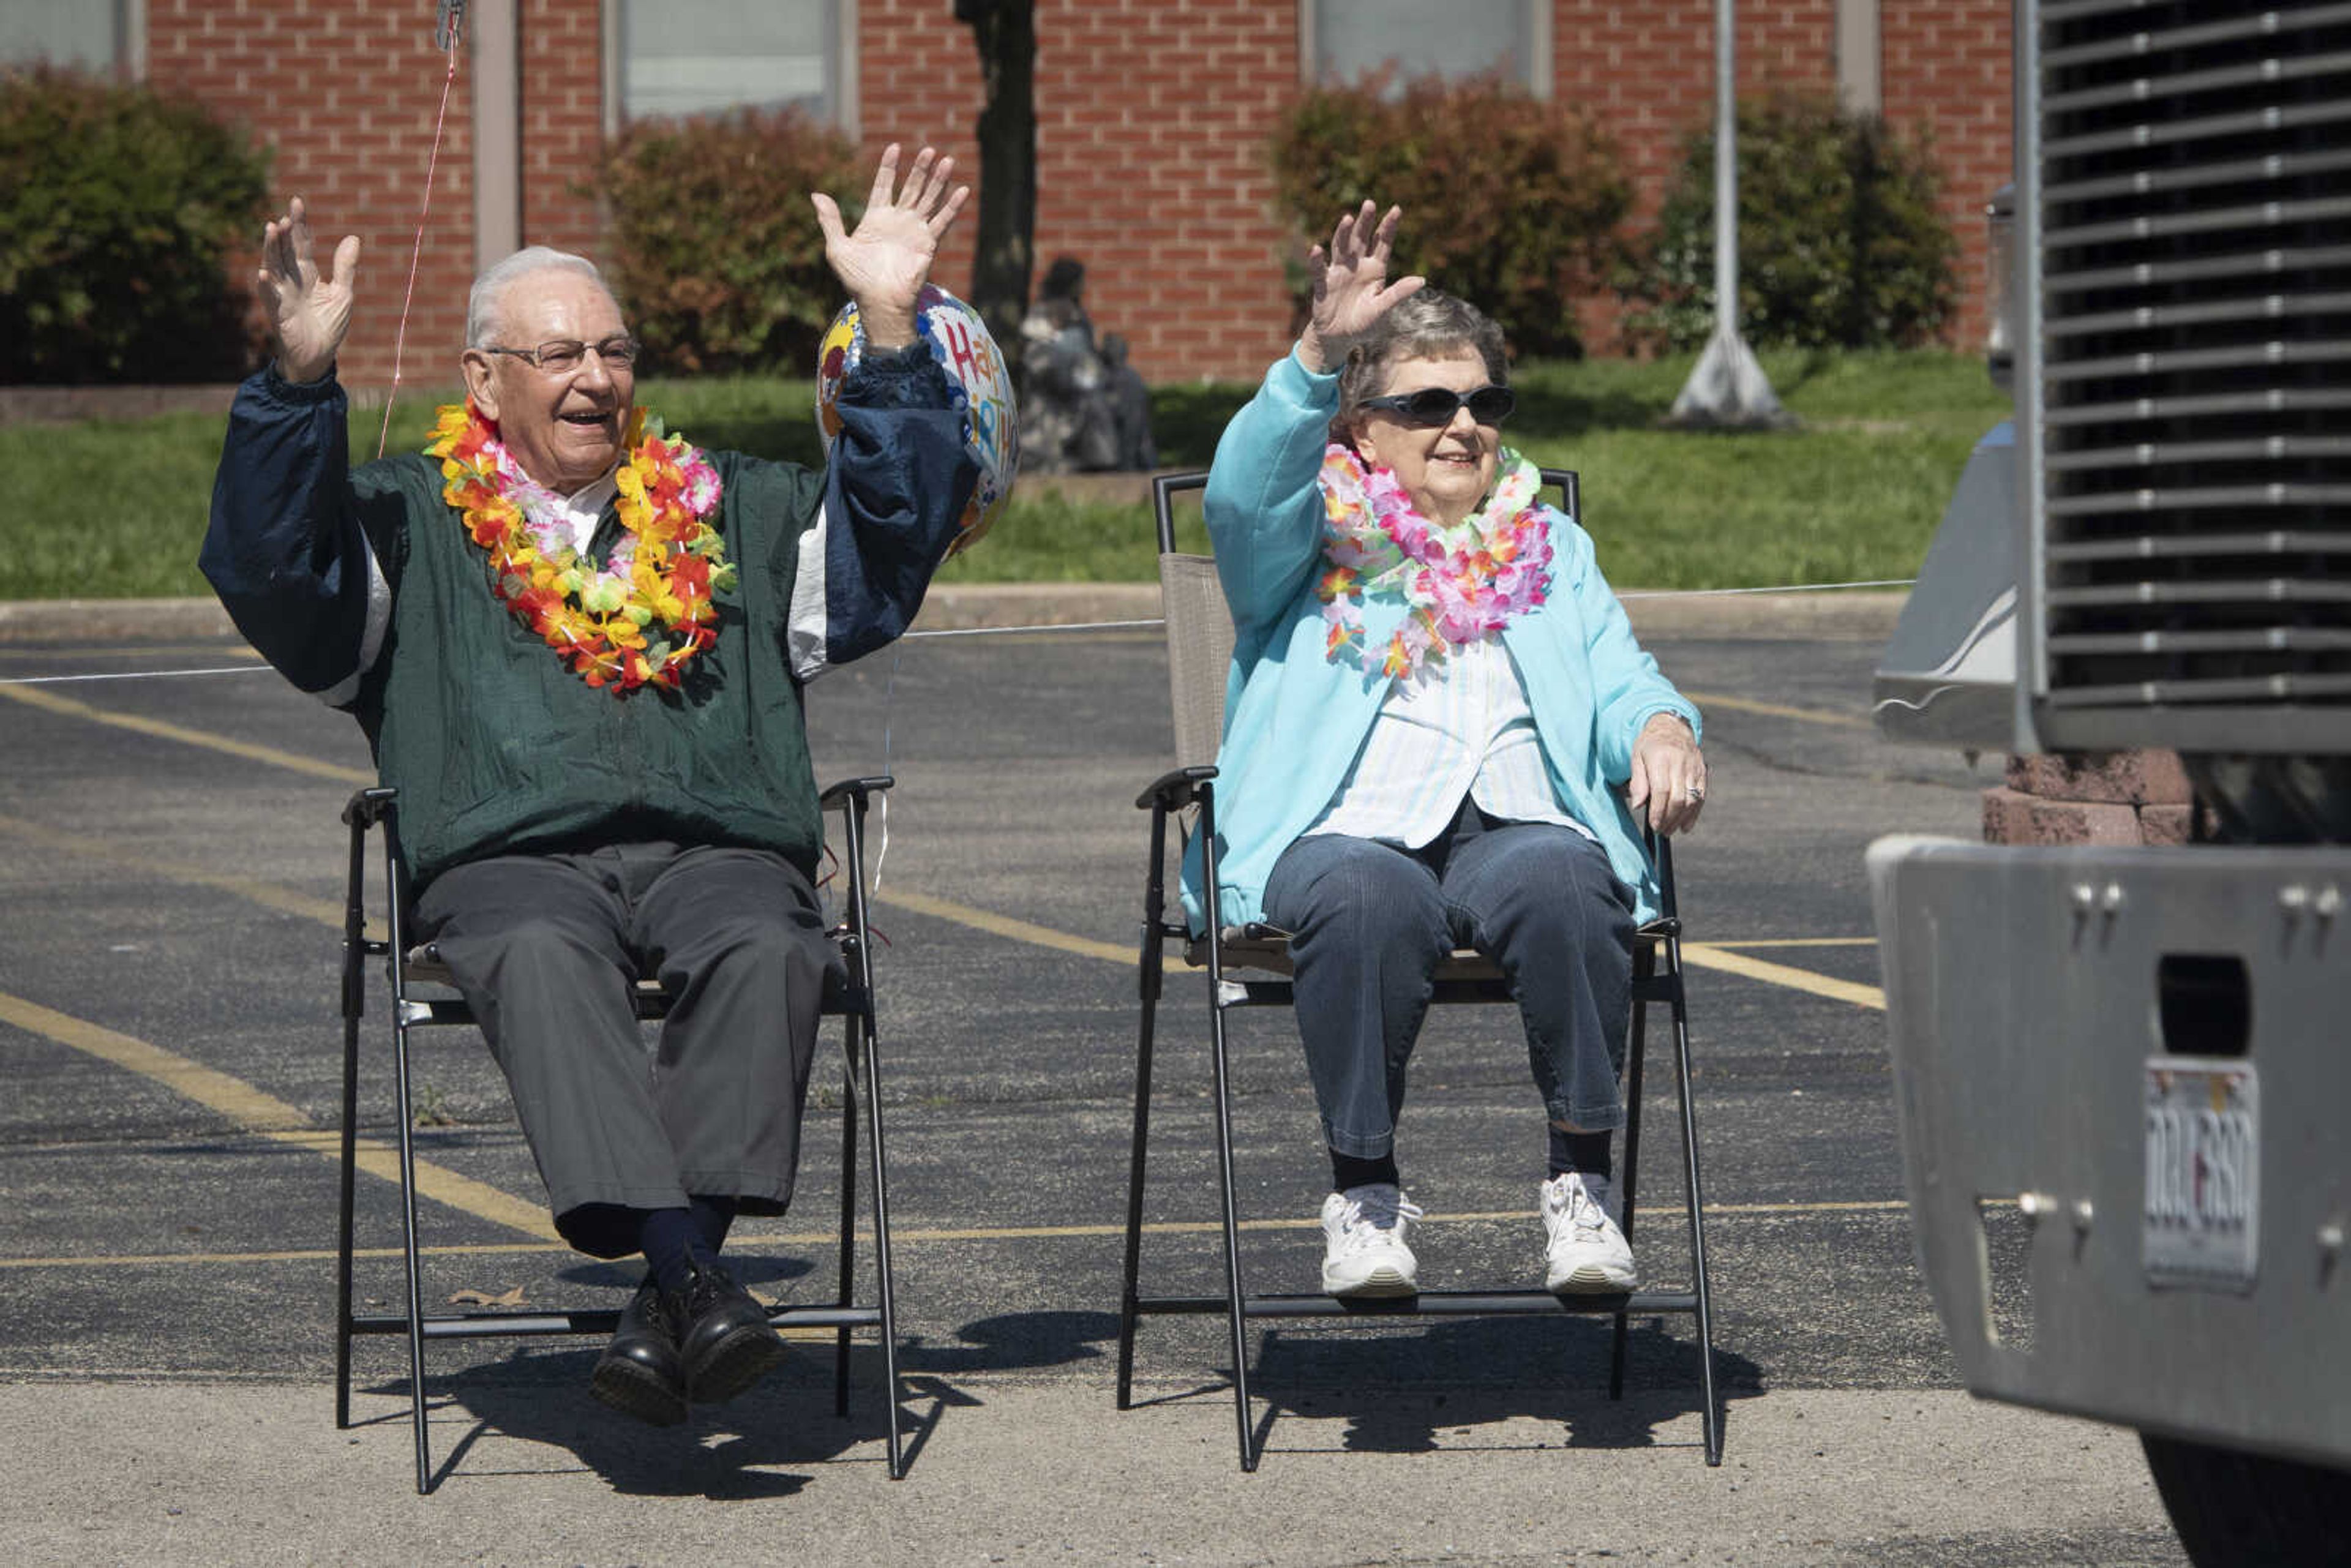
704 58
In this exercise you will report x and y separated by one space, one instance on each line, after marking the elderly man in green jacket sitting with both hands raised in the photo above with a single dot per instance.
580 655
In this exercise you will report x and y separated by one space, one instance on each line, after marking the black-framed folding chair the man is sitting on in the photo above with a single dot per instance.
848 996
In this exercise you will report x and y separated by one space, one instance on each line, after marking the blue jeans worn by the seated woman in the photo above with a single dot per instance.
1369 925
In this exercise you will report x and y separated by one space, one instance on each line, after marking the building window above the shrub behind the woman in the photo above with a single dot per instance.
1351 39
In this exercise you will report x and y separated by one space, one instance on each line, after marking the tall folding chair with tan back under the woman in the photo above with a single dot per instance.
1200 650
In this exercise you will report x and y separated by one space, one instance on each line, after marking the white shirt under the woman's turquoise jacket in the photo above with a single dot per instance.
1461 728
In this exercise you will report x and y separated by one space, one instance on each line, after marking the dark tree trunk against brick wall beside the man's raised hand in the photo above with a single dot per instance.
1003 250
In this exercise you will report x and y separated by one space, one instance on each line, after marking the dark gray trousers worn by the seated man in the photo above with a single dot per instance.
547 951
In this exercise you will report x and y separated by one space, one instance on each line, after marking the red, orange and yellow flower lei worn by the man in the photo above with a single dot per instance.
634 622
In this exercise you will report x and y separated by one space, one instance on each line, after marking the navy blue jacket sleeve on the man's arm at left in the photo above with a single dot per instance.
286 547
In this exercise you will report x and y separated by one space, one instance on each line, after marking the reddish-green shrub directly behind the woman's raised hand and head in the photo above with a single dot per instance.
1508 201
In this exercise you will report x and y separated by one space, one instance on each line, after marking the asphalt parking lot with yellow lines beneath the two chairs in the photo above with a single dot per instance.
173 876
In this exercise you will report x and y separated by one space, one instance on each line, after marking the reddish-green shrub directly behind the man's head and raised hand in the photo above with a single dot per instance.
716 250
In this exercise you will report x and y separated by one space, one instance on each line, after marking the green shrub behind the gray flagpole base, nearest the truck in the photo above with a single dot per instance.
1842 241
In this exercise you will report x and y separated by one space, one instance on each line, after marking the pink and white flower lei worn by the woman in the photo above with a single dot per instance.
1461 584
